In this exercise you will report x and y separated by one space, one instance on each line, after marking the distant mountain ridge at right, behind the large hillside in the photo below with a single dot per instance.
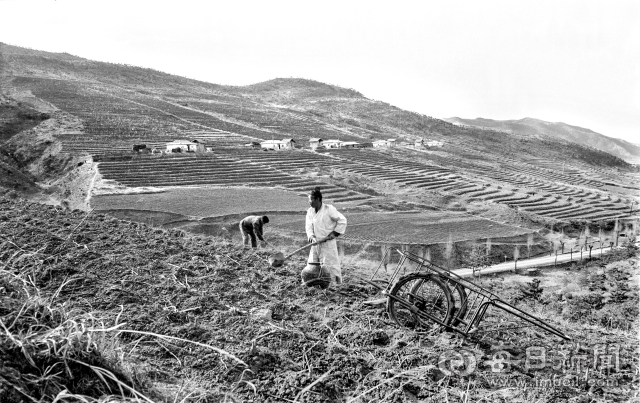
557 130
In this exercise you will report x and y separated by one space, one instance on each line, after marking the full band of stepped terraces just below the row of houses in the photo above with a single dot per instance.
232 166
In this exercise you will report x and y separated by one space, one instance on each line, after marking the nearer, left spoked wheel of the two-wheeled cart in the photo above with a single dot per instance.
423 293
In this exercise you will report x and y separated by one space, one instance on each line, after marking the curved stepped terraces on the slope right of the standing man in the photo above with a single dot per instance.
570 201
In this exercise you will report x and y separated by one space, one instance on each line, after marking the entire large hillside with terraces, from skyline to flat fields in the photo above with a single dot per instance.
95 112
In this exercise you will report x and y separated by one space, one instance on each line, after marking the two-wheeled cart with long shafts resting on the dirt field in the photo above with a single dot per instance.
429 298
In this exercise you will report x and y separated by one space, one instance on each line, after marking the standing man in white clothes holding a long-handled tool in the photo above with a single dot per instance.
324 222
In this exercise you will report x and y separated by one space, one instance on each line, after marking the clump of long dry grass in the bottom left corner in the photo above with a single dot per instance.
49 353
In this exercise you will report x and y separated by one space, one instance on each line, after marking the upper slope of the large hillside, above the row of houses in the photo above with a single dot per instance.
280 107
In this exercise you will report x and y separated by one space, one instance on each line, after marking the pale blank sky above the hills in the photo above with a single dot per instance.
576 62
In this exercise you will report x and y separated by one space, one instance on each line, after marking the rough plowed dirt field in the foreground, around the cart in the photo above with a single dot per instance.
276 341
